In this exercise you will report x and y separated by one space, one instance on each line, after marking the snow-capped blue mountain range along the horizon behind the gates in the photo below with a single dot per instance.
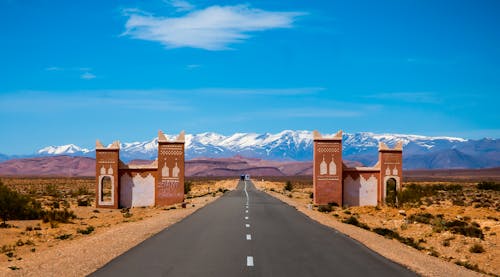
419 151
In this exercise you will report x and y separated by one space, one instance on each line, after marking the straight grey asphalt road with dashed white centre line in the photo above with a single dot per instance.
265 238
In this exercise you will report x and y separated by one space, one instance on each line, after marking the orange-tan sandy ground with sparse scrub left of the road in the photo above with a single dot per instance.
80 255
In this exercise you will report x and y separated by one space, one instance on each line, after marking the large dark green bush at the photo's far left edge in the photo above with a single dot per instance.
14 205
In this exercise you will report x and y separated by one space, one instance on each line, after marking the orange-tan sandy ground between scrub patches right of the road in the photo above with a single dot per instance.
420 262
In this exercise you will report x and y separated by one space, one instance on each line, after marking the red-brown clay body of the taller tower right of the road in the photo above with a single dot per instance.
327 171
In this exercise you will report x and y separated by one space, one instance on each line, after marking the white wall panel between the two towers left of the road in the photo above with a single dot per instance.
137 191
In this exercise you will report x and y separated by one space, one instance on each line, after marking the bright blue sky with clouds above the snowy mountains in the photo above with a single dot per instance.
75 71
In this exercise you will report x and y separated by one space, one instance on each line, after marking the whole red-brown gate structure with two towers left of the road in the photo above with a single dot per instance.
160 183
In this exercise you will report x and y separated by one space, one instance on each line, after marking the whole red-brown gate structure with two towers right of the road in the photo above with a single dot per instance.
334 182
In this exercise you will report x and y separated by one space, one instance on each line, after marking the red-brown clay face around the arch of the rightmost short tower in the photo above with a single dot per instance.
391 166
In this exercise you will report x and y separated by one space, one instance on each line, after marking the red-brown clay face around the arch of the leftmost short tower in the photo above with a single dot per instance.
107 163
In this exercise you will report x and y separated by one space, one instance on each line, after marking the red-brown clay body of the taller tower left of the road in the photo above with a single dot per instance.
170 177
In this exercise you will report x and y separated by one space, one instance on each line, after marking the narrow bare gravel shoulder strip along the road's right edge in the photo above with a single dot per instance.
411 258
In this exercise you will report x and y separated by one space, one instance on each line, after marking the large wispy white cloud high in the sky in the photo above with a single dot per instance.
213 28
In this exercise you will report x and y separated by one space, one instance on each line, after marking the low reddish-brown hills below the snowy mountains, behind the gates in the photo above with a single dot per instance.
66 166
